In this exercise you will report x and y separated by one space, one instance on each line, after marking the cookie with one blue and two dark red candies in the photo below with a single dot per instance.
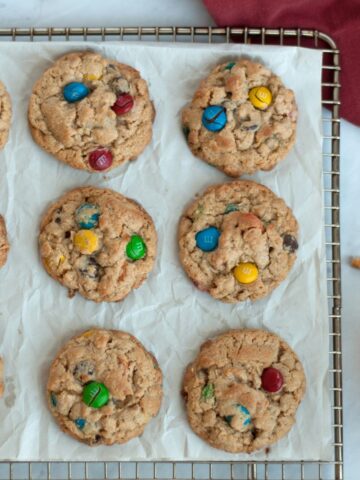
91 112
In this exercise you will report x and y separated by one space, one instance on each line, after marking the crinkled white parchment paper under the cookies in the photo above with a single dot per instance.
168 314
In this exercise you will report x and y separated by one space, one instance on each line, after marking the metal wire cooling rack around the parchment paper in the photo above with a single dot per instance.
250 470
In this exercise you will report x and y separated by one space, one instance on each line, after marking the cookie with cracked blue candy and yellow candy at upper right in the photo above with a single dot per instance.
242 118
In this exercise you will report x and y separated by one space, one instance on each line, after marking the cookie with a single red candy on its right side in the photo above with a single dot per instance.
243 390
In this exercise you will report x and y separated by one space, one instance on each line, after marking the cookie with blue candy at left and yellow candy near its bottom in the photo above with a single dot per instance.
237 241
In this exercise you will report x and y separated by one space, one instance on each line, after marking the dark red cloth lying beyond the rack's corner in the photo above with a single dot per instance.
340 19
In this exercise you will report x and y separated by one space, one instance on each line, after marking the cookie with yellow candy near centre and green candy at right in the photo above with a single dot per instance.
98 243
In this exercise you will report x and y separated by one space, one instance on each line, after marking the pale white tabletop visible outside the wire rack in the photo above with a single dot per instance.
191 12
